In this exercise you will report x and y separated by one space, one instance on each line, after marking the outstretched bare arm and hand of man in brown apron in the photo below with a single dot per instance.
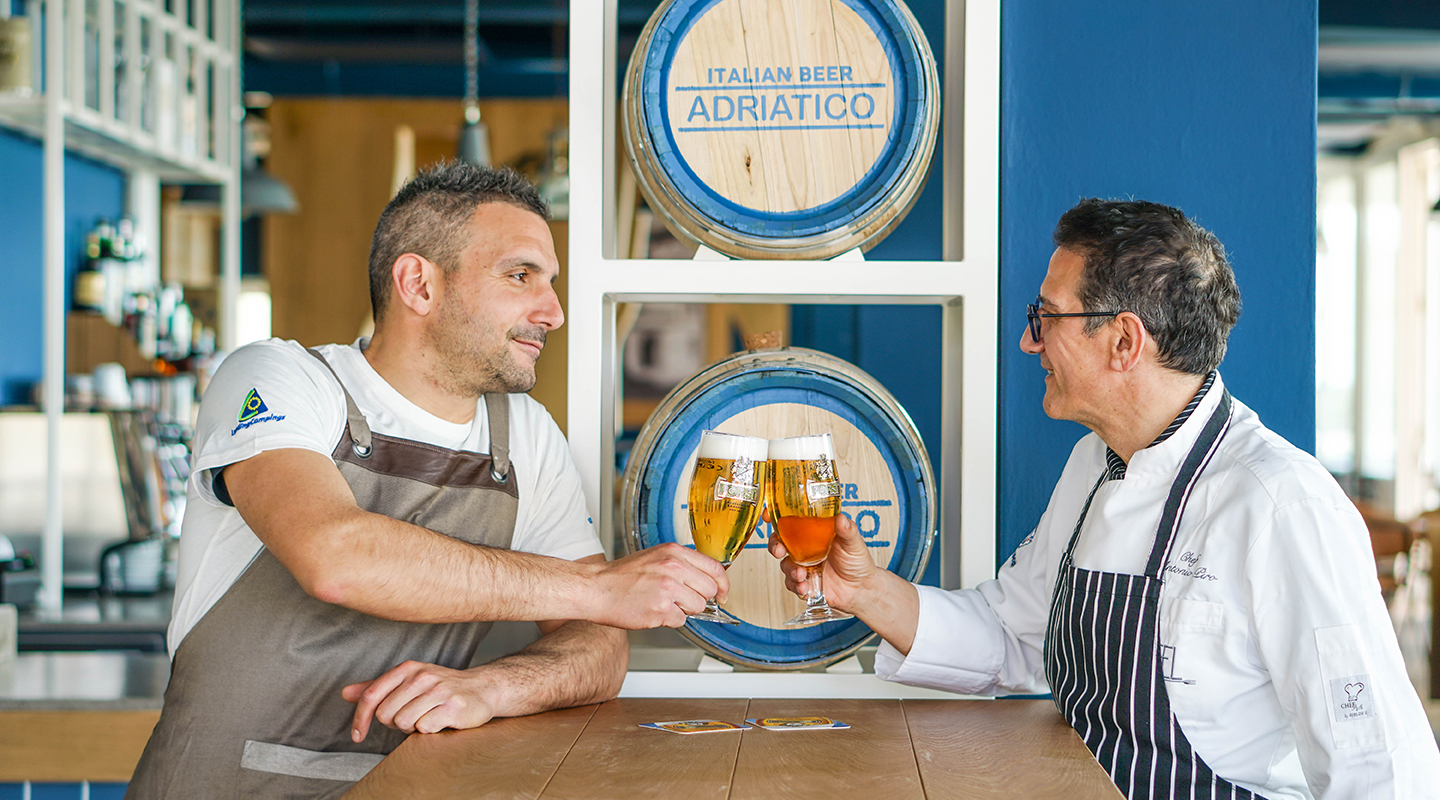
305 513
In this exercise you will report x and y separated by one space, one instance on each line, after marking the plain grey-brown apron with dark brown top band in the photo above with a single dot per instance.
254 706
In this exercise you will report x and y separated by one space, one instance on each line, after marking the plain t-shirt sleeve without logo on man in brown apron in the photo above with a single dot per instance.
554 519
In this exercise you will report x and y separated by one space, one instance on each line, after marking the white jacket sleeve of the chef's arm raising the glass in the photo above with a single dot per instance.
986 641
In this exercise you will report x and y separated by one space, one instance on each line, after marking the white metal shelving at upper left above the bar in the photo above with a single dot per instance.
153 88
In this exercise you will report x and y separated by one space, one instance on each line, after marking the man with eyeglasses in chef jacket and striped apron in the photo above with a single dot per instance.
1200 596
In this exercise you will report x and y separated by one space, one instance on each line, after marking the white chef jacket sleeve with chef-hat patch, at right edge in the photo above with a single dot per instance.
1324 635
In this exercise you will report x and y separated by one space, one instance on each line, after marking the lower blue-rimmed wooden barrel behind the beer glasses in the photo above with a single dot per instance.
889 490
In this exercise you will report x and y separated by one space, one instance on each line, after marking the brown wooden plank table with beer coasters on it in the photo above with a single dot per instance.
895 750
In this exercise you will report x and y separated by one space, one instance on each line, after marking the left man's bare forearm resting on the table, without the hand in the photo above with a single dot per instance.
577 664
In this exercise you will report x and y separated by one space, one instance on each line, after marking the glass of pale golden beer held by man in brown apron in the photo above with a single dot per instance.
726 494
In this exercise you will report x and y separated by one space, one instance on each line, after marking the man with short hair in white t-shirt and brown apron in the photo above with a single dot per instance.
359 514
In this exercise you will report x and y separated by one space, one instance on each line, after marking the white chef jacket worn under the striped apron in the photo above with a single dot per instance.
1281 663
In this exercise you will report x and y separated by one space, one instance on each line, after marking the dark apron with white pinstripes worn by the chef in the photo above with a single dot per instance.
1104 657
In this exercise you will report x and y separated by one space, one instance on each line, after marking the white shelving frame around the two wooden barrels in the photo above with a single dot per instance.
966 284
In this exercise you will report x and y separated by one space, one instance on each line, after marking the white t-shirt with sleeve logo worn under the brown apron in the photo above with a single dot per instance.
273 395
